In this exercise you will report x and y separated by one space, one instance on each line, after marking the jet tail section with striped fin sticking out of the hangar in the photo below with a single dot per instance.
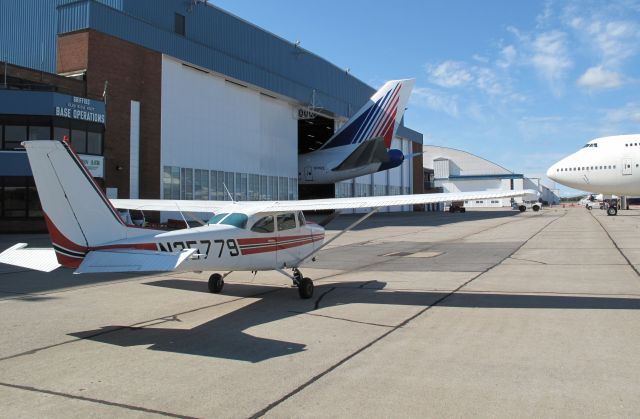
363 144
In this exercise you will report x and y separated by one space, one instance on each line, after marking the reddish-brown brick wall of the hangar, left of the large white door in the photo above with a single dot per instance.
133 73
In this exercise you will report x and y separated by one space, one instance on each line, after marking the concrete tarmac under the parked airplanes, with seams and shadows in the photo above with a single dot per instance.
483 314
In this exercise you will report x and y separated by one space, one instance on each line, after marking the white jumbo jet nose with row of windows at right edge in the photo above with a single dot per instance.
607 165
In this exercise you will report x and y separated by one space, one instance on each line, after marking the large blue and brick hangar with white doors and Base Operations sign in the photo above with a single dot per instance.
192 98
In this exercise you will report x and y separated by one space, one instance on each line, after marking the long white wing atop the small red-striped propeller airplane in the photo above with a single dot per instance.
313 204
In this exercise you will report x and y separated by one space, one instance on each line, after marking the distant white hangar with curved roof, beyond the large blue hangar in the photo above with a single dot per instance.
460 171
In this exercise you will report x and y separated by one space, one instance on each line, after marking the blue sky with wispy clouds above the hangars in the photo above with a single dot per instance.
521 83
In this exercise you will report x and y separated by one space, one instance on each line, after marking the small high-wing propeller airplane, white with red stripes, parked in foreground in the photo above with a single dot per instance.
89 235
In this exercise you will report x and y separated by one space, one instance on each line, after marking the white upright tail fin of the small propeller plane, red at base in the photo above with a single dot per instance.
78 215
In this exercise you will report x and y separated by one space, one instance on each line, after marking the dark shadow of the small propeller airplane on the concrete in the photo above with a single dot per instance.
225 336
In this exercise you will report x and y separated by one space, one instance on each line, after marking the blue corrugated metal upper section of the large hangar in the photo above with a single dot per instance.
213 39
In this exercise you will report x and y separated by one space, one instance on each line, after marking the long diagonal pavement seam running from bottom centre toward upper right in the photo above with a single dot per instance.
399 326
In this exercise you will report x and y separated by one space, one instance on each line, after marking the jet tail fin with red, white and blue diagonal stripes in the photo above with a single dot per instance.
379 117
